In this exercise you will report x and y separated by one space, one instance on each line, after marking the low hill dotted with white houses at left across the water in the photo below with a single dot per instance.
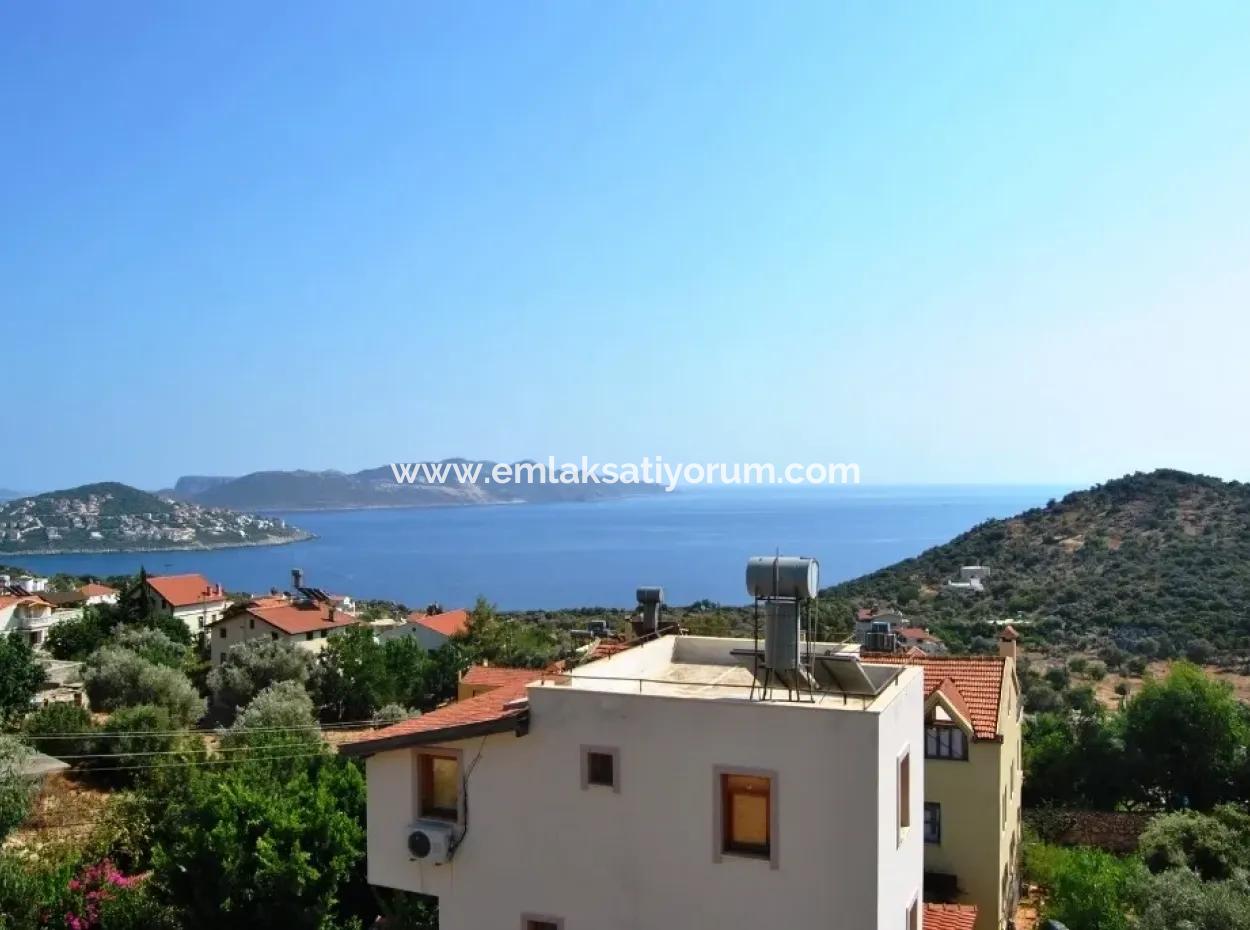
116 517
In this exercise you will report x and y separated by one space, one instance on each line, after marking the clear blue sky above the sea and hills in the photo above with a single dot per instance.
949 242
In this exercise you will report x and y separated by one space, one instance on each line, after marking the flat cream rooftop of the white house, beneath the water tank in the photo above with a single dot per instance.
714 668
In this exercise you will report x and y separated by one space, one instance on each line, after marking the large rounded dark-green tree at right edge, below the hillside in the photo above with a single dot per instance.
1186 738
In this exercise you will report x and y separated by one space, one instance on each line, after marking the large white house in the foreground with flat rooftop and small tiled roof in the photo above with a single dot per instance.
661 788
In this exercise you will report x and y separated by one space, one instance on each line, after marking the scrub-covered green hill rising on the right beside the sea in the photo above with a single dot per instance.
1154 562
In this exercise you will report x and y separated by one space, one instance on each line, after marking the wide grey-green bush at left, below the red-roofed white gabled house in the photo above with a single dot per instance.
117 678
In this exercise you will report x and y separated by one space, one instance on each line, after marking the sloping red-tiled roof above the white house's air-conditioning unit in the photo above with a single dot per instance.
498 711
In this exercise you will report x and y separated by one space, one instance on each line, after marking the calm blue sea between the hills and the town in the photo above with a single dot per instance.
558 556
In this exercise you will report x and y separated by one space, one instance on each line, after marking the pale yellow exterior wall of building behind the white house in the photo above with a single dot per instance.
978 842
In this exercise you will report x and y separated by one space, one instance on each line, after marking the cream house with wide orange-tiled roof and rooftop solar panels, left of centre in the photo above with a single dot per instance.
302 622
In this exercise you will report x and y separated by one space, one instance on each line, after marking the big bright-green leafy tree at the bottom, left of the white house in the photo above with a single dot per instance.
246 851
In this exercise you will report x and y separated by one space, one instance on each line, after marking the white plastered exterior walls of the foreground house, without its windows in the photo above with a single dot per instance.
643 858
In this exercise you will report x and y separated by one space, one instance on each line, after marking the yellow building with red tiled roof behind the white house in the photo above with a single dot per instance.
973 779
